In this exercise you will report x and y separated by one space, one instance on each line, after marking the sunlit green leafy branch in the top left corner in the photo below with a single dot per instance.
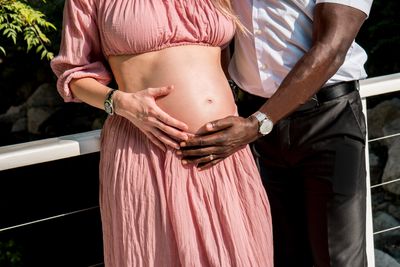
17 18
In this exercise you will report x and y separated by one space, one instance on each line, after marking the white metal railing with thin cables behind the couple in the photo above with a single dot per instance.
24 154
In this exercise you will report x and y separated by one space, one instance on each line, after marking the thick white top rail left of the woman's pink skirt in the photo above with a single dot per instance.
34 152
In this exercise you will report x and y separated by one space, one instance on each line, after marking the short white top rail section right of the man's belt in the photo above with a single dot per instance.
380 85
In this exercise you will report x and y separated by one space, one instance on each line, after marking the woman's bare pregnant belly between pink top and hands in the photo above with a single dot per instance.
201 92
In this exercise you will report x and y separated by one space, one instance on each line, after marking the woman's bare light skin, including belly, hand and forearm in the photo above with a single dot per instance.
168 94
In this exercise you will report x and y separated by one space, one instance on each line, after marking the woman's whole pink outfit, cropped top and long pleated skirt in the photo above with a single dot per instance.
155 211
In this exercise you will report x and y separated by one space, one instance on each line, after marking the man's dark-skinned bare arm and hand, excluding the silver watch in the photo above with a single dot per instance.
335 27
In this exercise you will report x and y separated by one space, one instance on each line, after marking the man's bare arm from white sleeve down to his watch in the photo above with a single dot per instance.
335 28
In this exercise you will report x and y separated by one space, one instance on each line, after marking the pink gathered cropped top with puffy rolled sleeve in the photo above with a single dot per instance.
93 30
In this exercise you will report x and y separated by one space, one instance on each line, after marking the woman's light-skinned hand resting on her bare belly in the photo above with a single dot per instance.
141 109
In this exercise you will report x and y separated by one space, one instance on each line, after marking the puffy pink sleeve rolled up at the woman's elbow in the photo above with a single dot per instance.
80 54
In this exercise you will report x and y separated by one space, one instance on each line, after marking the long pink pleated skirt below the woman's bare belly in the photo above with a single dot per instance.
157 212
